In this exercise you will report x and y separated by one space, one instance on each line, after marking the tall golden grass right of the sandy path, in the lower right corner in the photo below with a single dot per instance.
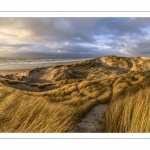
130 113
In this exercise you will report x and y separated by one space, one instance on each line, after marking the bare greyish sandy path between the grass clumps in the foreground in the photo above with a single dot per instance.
90 122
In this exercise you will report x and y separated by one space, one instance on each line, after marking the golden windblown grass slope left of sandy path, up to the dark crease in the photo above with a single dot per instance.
57 110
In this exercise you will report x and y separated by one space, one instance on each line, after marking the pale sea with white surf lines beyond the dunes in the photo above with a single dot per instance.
11 63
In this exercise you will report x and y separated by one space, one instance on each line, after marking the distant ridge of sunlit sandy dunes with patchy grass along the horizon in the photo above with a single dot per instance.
108 66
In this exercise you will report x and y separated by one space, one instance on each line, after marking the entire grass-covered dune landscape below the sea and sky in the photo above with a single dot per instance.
59 98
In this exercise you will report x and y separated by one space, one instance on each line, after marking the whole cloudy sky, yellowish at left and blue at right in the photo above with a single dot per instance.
74 37
